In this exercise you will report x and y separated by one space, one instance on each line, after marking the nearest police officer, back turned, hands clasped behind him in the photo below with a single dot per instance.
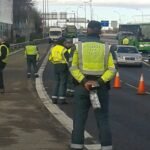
92 64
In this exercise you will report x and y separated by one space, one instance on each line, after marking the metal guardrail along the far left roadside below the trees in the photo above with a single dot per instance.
14 47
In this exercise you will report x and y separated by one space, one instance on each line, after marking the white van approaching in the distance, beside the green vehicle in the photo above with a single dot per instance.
54 33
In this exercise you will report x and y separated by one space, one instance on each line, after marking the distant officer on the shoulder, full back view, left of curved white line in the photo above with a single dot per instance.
32 55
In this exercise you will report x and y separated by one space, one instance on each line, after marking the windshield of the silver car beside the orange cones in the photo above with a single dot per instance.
127 50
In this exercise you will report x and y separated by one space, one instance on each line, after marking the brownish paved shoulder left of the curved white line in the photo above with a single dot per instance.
25 124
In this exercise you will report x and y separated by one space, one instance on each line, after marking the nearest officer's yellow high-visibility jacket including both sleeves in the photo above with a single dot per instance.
92 58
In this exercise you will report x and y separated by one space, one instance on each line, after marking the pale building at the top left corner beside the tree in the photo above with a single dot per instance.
6 17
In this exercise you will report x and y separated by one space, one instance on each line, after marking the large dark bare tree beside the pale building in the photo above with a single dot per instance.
26 18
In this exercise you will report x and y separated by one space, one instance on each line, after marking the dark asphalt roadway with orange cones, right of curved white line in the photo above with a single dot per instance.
129 112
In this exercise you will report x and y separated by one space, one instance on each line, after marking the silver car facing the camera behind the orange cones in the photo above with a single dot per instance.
128 55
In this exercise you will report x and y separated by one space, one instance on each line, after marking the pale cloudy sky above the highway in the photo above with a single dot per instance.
128 11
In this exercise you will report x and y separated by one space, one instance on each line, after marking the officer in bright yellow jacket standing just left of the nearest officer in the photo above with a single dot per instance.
58 56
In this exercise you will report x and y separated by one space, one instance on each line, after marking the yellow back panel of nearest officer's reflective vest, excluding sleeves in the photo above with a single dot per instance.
93 59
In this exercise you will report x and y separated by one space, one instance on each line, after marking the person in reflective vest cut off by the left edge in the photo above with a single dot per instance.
4 52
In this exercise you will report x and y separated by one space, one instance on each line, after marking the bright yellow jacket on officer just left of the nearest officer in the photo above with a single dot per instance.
57 54
